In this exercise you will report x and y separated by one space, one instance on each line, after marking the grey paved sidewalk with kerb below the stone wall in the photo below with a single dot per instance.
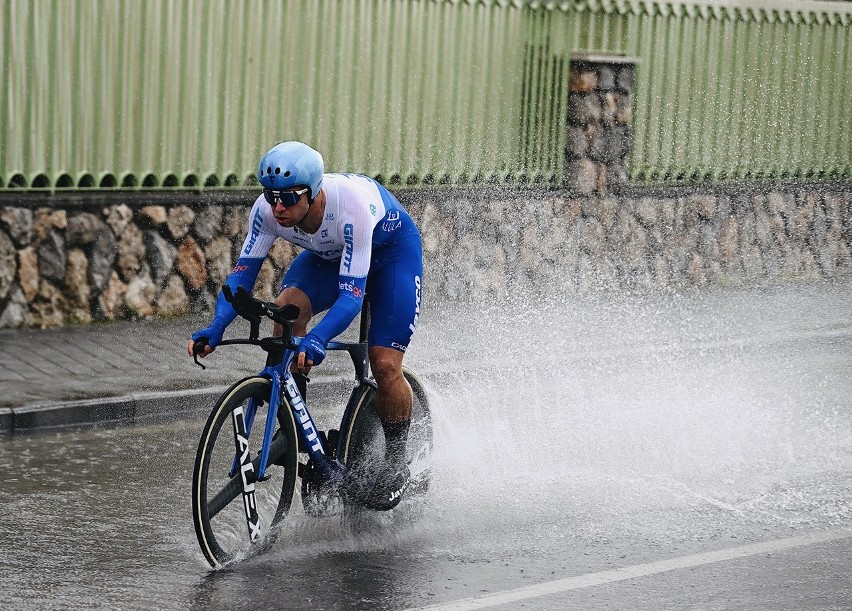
114 371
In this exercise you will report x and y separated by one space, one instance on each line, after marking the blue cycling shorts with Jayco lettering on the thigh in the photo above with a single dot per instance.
394 285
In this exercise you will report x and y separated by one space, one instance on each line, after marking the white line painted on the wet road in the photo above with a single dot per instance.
638 570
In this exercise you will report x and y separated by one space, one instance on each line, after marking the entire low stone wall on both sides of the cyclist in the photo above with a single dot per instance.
64 263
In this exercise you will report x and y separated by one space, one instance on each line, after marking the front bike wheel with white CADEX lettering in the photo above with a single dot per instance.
231 509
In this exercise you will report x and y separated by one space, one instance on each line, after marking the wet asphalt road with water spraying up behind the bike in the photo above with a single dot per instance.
579 444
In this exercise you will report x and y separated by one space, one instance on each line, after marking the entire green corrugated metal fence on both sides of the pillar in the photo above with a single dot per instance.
162 94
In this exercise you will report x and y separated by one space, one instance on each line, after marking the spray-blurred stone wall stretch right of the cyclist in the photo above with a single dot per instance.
585 244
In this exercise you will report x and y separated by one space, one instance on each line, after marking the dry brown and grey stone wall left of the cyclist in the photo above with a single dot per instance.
66 264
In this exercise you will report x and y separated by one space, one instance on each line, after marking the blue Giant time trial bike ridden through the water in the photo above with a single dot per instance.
260 445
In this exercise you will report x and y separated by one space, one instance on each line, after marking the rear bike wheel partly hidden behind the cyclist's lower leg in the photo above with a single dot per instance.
362 440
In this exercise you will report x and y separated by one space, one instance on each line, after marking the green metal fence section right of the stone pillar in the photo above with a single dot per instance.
762 91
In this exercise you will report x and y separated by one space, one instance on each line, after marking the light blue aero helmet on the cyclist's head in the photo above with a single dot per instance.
291 164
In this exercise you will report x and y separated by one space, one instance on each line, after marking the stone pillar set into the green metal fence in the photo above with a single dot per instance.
599 123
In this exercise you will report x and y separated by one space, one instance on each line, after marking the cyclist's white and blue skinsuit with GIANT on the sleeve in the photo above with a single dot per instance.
367 242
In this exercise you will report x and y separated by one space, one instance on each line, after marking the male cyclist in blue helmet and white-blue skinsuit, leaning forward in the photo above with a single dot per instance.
357 239
